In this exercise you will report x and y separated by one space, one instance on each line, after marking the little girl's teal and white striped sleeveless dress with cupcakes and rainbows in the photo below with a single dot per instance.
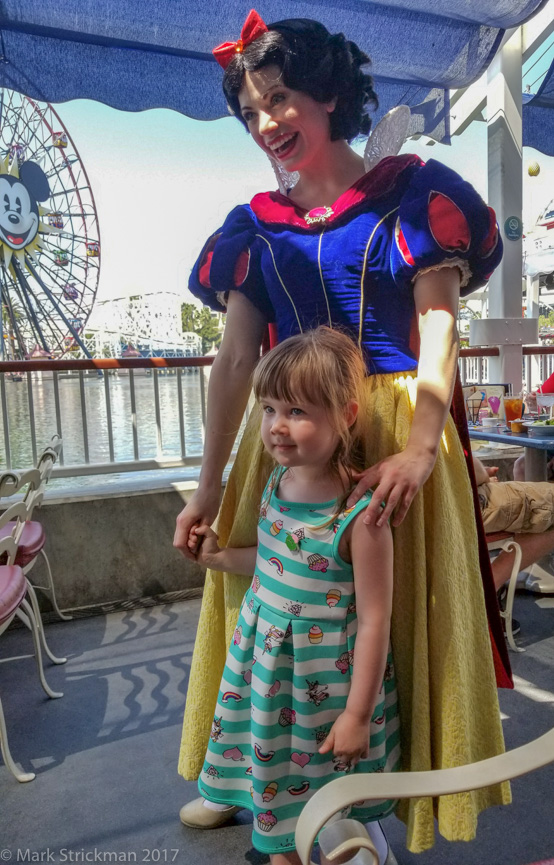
288 674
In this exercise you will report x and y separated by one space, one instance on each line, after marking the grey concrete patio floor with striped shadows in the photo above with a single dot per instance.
105 754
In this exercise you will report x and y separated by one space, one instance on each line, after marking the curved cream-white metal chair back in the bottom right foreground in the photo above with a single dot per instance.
406 785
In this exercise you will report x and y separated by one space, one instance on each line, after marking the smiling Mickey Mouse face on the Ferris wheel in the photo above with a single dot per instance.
19 197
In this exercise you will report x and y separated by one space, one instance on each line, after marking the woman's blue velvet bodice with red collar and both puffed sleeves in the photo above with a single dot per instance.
356 267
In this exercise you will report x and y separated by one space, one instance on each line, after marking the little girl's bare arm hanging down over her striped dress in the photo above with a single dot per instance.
372 558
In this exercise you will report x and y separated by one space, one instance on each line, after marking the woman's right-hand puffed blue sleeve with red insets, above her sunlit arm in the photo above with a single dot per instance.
443 222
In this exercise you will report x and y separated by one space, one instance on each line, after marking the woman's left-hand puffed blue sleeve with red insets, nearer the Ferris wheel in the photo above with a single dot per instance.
230 261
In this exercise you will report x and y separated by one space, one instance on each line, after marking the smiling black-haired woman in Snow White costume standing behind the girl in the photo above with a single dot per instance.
384 254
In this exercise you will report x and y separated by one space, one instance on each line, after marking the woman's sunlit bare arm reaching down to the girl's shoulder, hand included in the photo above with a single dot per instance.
398 478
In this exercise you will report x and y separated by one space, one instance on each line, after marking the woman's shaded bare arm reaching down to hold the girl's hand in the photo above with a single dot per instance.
227 397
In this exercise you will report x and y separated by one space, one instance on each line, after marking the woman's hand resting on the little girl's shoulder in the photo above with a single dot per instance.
396 479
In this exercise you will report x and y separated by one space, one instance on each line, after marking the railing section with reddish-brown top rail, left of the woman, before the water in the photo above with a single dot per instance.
115 415
